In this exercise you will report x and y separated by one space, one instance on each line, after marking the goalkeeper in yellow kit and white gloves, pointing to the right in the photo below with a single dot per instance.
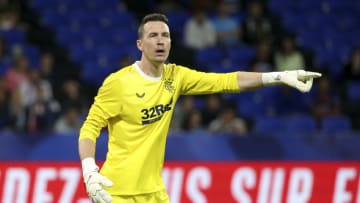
136 104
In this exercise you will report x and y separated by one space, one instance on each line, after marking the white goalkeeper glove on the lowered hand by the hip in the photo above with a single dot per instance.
94 182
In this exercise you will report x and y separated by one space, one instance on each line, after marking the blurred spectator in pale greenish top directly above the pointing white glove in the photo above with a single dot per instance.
288 57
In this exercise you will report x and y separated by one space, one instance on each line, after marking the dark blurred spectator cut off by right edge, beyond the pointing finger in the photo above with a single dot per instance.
352 67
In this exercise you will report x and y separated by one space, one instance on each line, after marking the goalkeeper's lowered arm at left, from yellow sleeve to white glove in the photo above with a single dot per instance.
104 107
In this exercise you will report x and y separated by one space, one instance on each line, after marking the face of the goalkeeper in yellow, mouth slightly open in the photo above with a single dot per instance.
155 42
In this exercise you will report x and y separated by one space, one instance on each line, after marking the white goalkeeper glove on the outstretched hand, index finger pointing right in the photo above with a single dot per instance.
299 79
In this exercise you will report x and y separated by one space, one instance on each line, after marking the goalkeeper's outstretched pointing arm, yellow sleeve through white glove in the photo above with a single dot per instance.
194 82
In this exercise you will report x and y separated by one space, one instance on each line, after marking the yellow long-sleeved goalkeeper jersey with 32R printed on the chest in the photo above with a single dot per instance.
137 111
